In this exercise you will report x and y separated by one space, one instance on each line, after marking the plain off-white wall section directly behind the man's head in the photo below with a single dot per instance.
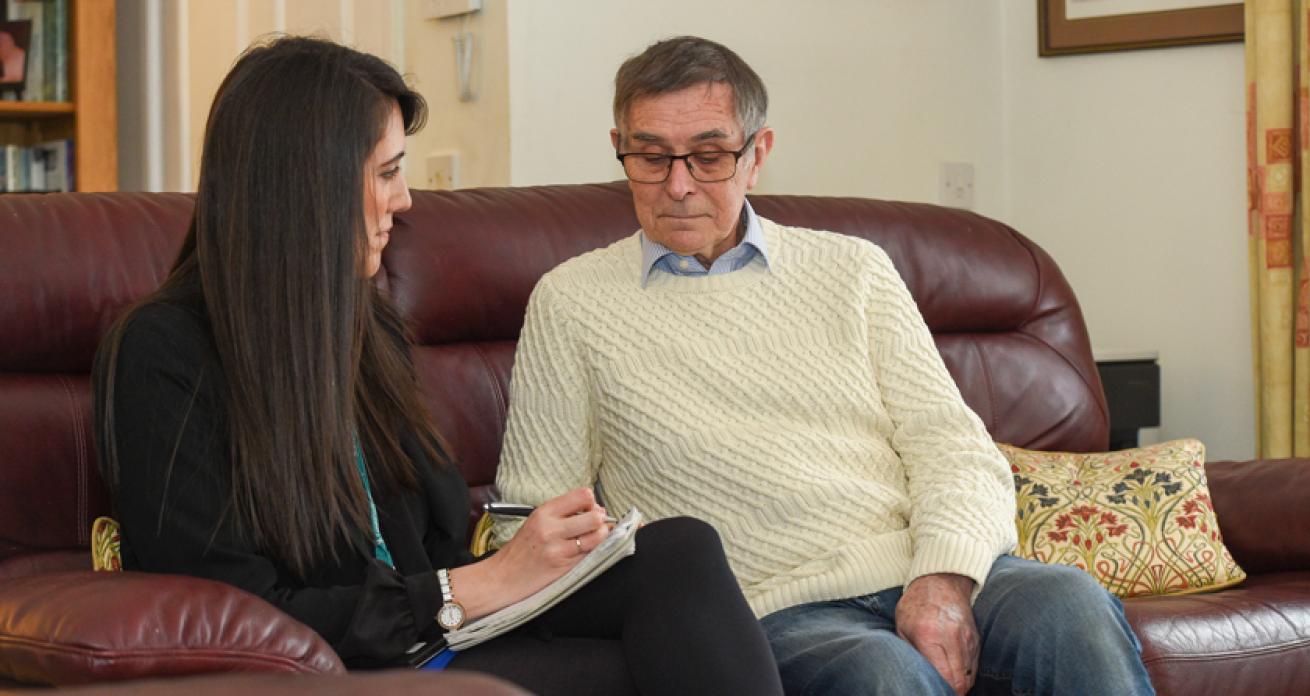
868 99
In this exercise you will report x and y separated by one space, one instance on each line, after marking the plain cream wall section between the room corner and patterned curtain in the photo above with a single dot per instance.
1130 170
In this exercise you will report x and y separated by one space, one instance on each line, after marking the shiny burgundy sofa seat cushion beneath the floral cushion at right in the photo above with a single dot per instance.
1252 640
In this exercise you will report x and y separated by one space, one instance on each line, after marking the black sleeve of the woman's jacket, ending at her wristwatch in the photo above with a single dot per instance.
174 499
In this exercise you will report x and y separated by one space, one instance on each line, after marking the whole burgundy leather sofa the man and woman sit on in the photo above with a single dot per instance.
462 267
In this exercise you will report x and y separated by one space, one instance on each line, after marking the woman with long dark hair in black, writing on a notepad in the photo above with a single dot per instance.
261 424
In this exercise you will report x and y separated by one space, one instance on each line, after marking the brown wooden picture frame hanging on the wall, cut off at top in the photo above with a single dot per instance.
1084 27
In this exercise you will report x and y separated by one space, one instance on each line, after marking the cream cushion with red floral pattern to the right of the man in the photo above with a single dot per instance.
1139 521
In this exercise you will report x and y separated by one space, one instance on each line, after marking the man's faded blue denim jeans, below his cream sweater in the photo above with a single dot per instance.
1043 628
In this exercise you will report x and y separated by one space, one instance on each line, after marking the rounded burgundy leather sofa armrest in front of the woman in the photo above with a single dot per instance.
83 627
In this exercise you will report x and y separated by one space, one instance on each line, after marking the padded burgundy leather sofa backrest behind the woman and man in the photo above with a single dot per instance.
462 267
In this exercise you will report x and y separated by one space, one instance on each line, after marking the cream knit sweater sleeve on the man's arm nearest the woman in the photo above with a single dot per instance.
551 440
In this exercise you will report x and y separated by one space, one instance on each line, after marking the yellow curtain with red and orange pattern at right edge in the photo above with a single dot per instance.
1278 106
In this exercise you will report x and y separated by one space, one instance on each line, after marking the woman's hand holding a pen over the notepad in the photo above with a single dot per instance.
551 542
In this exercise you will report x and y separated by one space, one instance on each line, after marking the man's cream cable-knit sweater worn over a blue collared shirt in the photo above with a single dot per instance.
802 411
